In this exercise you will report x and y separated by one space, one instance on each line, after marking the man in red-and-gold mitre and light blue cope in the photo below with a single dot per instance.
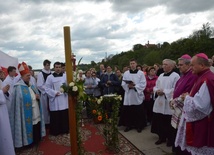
26 117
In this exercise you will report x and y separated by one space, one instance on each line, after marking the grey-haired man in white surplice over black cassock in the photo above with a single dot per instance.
163 90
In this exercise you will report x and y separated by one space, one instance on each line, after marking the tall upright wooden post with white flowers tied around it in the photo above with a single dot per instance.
71 100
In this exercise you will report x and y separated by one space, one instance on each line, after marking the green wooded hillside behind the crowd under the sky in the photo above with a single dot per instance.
201 40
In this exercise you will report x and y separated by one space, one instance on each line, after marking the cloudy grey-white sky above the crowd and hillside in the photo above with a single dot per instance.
32 30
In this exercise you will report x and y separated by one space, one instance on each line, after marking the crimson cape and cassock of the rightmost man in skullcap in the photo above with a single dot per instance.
204 126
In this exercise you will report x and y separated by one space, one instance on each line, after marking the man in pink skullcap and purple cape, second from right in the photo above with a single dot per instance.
183 85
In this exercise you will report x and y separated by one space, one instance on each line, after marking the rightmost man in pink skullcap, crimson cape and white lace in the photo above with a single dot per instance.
195 131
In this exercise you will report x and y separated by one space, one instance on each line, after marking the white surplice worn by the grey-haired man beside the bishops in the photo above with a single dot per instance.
167 84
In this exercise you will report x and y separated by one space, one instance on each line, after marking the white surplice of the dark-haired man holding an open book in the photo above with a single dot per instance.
134 96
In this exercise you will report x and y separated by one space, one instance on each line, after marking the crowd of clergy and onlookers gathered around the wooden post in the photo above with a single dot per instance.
176 99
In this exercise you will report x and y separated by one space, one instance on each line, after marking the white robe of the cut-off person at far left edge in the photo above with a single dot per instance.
6 141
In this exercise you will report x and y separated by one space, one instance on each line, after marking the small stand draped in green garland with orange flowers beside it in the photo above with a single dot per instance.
105 110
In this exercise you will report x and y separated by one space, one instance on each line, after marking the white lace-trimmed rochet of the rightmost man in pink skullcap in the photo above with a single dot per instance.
195 108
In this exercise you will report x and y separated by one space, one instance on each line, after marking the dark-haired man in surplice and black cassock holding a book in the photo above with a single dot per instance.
134 83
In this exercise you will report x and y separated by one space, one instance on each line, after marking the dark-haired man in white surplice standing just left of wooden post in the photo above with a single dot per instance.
58 101
